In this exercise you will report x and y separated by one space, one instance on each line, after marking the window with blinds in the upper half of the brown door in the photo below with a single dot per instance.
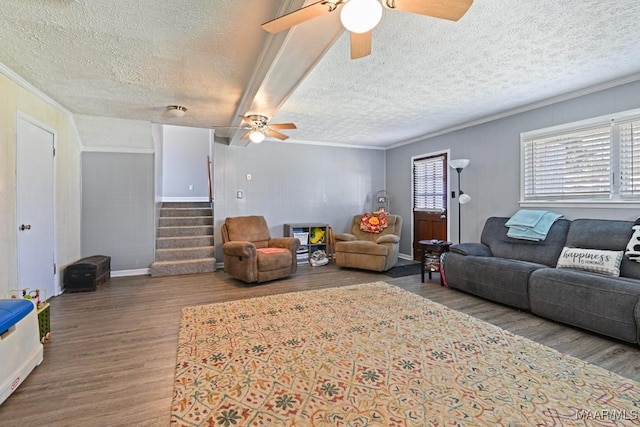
430 183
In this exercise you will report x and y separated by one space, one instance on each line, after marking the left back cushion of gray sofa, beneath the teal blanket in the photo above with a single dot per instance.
545 252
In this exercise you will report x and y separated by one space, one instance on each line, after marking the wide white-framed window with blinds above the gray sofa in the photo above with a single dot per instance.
594 160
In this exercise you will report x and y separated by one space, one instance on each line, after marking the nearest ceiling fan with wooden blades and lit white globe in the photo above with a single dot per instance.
359 17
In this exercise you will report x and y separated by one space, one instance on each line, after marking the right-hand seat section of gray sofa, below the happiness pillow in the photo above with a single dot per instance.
591 301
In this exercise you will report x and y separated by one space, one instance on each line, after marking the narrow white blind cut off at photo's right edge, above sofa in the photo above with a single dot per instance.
630 159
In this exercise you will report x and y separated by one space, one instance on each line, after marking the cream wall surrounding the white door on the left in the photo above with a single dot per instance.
18 95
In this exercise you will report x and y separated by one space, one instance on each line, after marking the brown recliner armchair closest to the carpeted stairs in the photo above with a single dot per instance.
251 255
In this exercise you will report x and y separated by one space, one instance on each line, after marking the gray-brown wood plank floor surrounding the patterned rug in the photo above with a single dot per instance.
111 358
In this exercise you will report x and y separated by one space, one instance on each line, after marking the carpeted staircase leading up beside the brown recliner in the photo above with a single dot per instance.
184 242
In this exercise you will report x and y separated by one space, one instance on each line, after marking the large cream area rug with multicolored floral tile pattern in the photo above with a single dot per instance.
376 355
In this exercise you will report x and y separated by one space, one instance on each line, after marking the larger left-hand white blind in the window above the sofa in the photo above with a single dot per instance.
571 164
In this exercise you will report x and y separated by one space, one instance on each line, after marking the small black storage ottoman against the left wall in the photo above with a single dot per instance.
86 274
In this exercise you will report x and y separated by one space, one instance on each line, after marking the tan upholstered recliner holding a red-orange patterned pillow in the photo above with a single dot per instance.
369 250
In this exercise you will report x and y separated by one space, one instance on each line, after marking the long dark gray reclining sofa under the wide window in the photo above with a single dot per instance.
523 274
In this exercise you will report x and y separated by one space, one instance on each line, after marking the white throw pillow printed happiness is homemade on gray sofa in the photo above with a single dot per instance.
596 260
